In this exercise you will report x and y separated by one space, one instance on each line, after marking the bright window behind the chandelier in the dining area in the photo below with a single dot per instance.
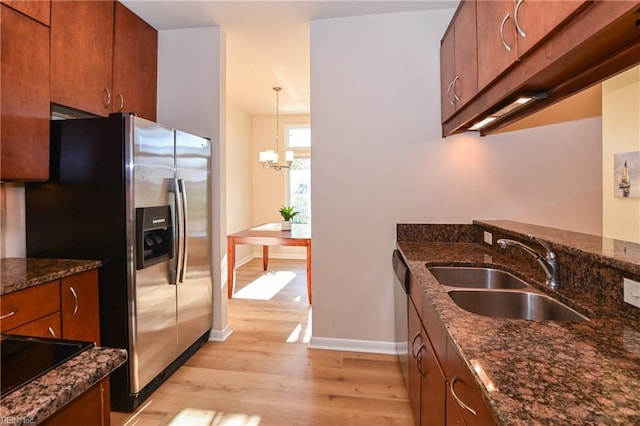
298 139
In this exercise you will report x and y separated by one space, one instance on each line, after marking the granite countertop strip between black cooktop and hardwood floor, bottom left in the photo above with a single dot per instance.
45 395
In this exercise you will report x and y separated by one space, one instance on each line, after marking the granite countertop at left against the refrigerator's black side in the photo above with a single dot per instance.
20 273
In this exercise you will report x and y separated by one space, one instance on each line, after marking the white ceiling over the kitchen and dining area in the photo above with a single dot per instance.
267 41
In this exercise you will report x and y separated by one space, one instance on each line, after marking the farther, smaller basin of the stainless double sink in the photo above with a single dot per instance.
471 277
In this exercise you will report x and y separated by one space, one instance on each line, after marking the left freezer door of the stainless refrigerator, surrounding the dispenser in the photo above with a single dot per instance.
152 303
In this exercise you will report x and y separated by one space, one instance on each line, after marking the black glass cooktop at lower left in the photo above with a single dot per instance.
26 358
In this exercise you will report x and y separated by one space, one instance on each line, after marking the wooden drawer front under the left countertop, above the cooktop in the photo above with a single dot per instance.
30 304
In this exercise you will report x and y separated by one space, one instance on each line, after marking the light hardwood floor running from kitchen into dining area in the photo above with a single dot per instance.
264 374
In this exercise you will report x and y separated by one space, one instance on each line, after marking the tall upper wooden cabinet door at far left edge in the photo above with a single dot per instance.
24 98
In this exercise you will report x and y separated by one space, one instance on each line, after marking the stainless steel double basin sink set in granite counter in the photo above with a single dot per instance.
498 294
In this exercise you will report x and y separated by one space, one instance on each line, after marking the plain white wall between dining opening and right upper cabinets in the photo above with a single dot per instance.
378 160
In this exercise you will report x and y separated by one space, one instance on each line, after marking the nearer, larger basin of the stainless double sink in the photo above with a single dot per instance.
514 304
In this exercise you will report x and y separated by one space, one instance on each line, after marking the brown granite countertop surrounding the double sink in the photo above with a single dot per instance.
543 372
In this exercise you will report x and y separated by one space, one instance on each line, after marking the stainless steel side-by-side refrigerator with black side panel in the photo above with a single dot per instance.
135 195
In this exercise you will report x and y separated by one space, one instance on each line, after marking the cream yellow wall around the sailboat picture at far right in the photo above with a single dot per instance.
621 133
